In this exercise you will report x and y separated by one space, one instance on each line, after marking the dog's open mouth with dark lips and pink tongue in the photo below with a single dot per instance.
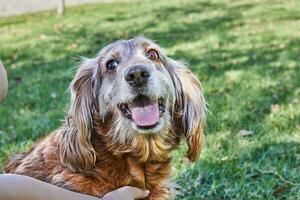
143 111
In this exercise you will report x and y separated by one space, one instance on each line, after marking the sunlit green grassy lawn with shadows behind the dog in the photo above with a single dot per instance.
246 53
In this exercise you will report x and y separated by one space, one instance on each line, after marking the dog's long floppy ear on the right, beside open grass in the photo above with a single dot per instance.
189 108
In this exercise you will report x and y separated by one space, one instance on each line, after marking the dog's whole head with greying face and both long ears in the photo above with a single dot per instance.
135 86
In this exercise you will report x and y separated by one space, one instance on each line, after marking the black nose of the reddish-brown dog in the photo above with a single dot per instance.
137 75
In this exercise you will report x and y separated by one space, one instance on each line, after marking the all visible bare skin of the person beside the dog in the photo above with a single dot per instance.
18 187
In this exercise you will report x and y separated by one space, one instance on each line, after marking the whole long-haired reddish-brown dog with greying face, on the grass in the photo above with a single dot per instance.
130 107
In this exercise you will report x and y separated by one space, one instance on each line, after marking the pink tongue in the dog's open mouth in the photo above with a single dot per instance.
145 116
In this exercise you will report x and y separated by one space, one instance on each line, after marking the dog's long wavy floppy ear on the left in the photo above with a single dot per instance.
76 150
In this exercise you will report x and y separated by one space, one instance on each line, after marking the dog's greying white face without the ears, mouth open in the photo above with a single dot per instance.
136 89
